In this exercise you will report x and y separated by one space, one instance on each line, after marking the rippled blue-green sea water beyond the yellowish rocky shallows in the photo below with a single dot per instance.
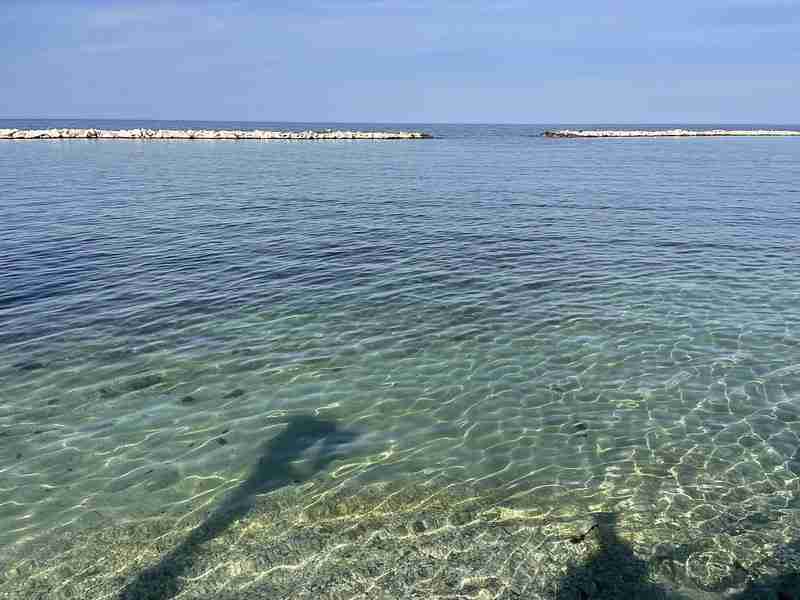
566 327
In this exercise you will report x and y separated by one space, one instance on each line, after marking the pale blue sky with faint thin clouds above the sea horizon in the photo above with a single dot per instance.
447 61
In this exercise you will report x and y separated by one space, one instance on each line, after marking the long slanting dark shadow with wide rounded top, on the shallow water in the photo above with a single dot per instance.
273 470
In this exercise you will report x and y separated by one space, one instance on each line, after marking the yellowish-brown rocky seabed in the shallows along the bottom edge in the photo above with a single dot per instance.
393 542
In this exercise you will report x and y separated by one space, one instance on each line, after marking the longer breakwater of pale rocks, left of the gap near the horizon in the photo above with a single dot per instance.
204 134
